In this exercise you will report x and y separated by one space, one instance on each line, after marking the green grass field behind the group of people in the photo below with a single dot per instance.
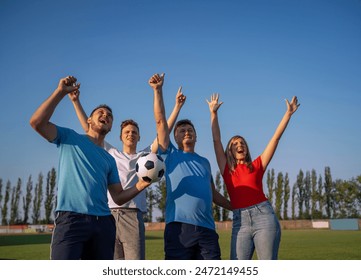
295 245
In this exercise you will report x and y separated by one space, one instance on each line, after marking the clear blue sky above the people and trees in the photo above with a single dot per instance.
253 53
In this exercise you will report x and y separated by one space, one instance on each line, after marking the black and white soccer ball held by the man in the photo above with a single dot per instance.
150 167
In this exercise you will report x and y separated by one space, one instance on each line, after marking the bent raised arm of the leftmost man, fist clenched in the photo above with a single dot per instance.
40 120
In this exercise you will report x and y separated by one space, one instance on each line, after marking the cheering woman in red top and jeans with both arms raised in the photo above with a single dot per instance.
255 225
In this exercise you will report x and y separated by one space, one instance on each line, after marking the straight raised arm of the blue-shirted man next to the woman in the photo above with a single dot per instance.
156 83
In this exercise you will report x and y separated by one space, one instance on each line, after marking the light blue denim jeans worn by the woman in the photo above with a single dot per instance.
255 228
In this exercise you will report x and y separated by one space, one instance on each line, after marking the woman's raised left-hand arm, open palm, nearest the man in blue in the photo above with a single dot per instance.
216 132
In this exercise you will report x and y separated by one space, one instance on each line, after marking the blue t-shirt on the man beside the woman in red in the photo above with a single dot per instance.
189 193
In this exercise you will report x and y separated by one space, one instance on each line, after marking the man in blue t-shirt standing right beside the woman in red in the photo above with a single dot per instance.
190 229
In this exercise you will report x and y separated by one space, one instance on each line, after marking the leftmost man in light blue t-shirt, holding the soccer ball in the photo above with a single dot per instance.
84 226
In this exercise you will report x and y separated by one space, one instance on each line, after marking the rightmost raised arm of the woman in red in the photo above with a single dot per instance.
271 147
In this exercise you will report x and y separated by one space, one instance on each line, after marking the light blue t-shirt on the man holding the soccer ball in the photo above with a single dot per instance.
84 173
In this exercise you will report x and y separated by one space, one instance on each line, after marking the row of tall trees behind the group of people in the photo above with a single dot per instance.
310 197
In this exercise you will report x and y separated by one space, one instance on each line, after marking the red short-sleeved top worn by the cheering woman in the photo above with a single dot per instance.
245 188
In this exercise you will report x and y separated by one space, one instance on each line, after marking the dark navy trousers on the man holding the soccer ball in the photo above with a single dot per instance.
79 236
